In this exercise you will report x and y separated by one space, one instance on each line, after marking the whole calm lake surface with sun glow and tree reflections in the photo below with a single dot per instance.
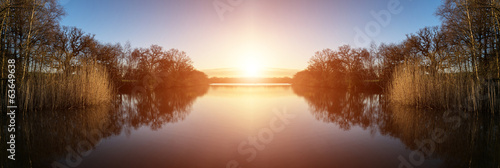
254 126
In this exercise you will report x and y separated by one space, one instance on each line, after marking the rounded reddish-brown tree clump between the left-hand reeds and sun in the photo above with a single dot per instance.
155 67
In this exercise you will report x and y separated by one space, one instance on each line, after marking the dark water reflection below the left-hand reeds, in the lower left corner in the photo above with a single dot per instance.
48 136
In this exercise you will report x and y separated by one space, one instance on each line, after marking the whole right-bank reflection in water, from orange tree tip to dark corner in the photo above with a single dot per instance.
469 142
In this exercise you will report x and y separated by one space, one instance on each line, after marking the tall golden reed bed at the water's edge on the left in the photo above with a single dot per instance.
87 85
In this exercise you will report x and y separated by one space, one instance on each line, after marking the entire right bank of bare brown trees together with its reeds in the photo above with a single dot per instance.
454 64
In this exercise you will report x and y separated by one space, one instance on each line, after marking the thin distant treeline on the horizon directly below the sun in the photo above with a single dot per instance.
251 80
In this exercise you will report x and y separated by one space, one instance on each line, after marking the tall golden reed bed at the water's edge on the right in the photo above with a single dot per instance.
412 85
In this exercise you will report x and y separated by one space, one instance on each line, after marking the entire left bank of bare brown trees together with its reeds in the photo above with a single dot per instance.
63 67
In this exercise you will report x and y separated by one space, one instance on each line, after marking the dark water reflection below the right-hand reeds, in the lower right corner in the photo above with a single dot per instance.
469 142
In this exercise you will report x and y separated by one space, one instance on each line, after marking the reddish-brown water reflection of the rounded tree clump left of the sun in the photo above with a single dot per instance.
155 109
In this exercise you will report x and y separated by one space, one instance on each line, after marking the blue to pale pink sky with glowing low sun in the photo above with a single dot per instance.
255 36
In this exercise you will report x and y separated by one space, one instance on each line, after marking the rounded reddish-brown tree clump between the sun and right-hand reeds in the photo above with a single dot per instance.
342 68
